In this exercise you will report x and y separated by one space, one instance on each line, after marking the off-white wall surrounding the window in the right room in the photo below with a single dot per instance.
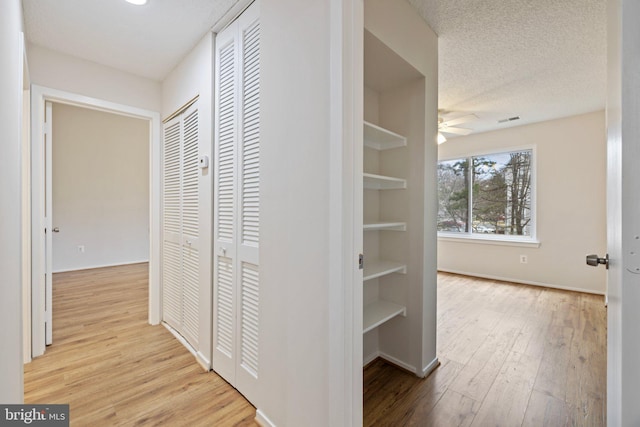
570 161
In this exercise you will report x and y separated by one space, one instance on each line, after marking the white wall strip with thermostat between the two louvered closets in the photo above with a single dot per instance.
194 77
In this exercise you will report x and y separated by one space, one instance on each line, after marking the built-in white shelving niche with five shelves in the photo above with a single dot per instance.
394 154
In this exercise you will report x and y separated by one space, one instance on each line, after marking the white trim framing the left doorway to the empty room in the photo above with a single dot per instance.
40 95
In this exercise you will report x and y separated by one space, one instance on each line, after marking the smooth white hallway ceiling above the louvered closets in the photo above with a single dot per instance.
148 40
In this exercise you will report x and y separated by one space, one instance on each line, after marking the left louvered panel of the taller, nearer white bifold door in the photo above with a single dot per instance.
226 130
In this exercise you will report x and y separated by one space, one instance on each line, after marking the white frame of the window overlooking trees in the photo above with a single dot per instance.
498 239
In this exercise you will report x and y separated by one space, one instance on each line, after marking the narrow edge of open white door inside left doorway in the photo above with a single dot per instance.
49 230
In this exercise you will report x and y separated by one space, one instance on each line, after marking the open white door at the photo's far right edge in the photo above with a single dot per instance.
623 213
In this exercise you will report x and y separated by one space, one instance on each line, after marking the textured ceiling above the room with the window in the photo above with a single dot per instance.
537 59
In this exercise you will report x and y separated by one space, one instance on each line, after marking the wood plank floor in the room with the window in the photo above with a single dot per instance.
511 355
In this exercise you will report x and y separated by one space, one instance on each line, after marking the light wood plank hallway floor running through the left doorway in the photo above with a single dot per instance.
114 369
